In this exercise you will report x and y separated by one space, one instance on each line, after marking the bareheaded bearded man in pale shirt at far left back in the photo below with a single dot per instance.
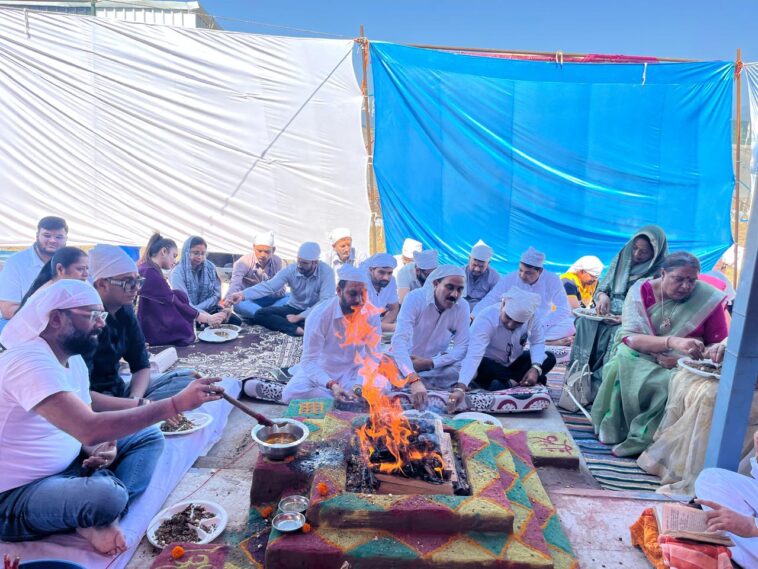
22 268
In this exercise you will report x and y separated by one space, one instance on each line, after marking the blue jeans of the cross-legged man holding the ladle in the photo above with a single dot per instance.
79 497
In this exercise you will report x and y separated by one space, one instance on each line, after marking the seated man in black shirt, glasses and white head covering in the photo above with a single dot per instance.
115 278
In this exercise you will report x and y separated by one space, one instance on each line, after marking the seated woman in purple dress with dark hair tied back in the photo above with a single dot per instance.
165 315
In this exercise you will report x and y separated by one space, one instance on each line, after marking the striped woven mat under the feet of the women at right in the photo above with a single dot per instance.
611 472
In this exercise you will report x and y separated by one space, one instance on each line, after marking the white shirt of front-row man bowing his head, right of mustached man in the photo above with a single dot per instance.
488 337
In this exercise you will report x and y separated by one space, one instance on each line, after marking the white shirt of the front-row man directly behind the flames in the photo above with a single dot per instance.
323 357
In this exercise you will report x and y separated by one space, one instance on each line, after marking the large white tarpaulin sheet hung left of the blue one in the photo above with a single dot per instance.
126 128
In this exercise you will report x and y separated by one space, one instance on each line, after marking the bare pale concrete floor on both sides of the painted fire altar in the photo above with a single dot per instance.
596 521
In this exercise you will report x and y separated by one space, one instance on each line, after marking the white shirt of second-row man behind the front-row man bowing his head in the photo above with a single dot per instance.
548 287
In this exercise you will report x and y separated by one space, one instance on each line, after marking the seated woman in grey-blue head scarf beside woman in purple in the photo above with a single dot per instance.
197 277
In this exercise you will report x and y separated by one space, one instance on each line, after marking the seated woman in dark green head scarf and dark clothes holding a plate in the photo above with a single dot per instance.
641 257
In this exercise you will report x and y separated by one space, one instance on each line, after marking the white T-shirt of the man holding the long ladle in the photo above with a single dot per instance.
30 447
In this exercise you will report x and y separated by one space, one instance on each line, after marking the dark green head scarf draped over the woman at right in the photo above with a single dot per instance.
621 274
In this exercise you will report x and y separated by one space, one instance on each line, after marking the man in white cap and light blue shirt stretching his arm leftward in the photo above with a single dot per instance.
310 281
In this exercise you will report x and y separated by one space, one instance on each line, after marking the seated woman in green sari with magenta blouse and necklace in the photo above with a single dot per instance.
664 318
